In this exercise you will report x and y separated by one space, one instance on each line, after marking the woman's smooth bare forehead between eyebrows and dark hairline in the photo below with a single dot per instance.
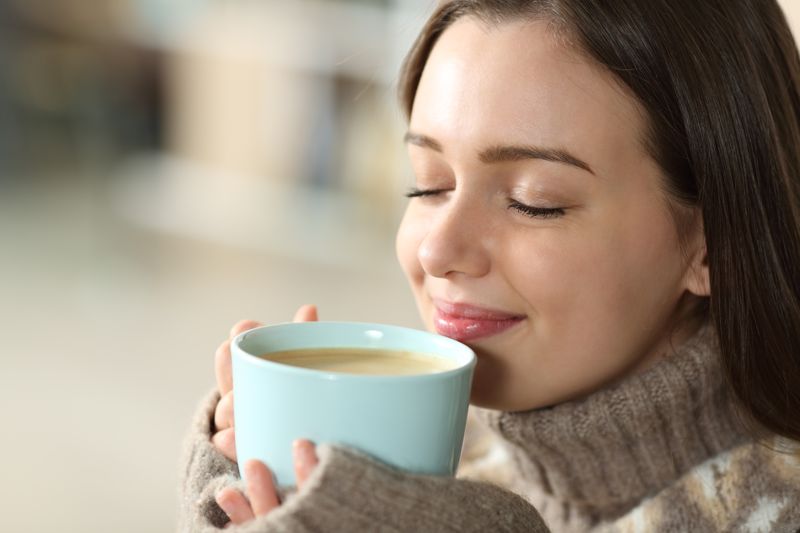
518 83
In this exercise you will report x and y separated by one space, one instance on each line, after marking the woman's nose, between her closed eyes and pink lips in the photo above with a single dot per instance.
456 242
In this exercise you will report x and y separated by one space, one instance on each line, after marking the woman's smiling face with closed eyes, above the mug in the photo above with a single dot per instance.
542 237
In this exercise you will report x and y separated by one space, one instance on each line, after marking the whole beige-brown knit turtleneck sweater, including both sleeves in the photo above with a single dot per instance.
659 452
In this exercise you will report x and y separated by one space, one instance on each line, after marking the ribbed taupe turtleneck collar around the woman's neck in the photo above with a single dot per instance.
604 453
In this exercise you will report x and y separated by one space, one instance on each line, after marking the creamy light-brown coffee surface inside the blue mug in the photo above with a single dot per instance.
362 361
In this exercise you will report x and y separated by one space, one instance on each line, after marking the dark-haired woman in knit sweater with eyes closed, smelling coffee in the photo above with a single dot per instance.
607 210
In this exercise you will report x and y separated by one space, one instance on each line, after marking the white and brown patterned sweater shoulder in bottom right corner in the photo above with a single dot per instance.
751 488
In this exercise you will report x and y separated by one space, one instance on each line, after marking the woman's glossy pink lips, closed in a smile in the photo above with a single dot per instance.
464 322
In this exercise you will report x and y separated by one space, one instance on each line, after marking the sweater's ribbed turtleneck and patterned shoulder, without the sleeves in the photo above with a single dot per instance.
662 451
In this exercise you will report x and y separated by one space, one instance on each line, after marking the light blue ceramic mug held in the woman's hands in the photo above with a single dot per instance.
413 422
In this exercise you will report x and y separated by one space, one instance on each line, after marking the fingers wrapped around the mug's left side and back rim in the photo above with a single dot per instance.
223 437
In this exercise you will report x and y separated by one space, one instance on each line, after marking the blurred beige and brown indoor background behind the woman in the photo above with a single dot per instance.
168 167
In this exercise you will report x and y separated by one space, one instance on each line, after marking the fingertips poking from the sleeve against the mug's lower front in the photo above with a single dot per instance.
262 496
